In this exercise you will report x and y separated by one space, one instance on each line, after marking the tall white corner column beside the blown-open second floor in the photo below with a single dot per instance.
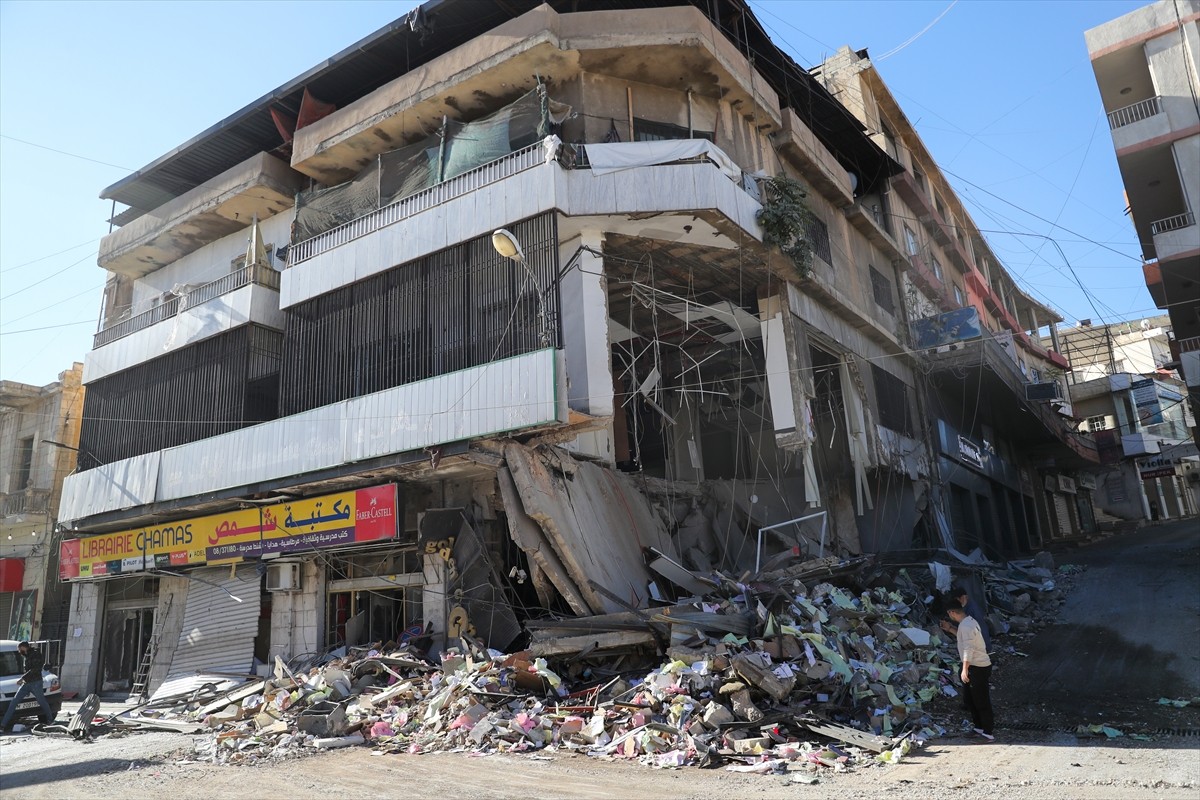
585 315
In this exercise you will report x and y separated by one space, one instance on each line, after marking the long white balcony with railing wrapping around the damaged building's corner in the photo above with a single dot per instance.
533 181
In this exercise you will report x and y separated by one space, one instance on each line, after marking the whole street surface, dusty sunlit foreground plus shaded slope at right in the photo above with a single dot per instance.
1108 661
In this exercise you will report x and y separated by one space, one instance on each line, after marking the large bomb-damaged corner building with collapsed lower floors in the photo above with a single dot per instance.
515 310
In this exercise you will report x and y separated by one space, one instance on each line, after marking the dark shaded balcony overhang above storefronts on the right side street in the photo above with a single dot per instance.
995 387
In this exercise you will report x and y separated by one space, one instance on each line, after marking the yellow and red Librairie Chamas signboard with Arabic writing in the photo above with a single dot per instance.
293 527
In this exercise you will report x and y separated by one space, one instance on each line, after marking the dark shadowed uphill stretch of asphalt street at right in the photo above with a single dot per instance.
1129 635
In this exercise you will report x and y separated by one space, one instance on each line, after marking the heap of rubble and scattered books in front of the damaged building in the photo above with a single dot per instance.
825 665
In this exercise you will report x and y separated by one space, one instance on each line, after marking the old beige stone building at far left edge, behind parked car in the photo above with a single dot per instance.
39 437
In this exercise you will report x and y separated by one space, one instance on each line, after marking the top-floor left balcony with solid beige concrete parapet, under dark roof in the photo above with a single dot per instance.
262 185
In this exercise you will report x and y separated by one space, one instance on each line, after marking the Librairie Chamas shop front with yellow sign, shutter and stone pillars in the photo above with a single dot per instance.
227 593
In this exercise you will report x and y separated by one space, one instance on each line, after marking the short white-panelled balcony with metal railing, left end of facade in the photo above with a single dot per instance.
241 298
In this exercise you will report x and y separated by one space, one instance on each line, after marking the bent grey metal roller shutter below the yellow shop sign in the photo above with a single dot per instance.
219 633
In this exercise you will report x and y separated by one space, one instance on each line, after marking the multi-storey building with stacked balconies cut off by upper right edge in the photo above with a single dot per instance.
1148 69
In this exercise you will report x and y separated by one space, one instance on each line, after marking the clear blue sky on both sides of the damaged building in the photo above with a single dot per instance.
1001 93
